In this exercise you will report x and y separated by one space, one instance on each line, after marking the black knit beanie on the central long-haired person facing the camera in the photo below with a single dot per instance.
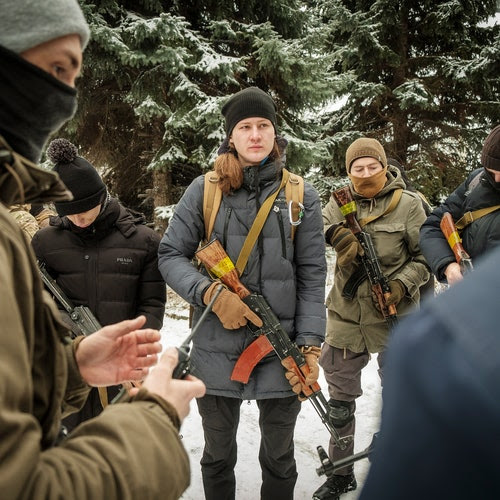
248 103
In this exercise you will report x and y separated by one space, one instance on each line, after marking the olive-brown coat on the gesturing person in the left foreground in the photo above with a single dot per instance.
131 451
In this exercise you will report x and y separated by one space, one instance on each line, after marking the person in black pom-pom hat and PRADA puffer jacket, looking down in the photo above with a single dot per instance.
101 254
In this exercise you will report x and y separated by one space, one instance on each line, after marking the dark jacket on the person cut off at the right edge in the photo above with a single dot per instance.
478 191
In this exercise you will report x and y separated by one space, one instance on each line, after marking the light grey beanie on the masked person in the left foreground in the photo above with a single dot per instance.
27 23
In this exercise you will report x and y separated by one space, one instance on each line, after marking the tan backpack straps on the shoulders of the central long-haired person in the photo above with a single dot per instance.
212 197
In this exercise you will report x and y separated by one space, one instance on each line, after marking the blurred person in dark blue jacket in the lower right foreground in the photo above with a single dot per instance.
440 430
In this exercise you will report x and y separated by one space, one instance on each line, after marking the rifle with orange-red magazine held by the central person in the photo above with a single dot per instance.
271 336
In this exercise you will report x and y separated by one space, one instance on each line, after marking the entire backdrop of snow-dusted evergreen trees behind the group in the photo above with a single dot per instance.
420 75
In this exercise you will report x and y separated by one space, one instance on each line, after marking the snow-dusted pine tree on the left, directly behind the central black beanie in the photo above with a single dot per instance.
157 72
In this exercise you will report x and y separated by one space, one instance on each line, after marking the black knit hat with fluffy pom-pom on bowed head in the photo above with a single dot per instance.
80 177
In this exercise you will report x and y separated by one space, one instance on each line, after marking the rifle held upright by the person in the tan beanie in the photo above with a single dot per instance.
379 282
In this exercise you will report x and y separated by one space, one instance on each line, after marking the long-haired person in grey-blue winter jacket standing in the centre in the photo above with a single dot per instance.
290 274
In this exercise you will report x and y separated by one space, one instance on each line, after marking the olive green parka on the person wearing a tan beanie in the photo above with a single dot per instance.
356 324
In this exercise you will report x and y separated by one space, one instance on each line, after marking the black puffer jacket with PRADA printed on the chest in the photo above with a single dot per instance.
111 266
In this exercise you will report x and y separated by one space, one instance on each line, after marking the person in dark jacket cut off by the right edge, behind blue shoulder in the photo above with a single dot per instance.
481 190
